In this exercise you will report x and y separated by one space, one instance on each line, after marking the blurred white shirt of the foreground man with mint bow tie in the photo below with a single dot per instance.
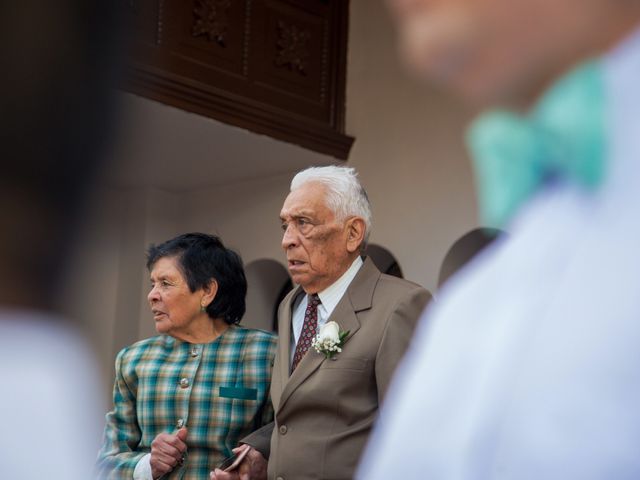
528 366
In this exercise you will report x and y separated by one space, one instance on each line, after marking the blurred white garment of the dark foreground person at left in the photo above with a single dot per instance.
51 399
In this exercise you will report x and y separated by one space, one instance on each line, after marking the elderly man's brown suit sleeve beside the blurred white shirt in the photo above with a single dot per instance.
397 336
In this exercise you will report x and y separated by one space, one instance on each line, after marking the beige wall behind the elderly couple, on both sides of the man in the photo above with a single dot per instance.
408 151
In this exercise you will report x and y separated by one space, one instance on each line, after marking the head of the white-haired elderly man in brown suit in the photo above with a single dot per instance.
326 221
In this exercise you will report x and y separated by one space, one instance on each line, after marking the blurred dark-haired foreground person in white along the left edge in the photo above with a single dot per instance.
58 61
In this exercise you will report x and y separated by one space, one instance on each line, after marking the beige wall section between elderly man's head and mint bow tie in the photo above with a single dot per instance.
408 150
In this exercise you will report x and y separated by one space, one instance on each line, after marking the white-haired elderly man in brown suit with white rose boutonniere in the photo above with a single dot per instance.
326 400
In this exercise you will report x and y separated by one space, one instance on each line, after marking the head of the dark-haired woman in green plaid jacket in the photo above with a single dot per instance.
194 275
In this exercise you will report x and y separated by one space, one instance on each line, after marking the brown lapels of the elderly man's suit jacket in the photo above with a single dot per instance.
358 297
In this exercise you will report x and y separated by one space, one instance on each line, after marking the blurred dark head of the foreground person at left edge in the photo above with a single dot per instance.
57 110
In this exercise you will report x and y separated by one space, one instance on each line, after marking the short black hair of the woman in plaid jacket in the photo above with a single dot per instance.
203 258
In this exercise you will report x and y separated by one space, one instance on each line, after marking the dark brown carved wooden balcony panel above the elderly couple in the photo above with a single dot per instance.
272 66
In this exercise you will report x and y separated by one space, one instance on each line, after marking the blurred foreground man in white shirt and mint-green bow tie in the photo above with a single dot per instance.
529 366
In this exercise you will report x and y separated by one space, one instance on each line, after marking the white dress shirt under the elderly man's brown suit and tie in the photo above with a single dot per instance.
329 297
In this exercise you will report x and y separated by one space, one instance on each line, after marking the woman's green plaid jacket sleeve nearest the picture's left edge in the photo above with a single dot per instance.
118 456
